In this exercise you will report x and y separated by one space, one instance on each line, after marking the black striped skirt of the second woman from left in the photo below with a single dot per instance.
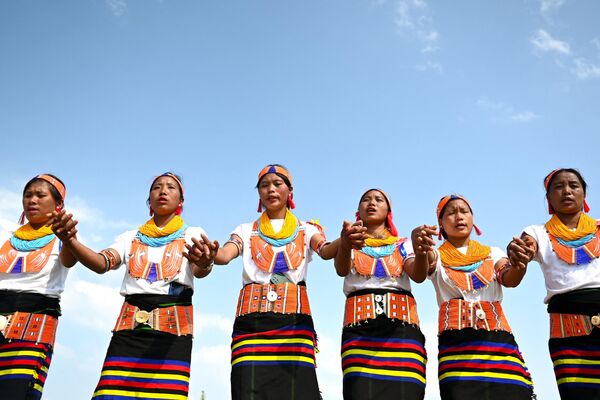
145 364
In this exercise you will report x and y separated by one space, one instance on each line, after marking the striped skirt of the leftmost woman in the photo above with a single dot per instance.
23 369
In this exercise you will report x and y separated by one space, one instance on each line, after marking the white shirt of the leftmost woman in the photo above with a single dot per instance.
49 281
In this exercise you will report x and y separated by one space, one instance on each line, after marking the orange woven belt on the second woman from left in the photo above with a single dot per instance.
176 320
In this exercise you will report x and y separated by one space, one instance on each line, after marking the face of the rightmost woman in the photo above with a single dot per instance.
565 193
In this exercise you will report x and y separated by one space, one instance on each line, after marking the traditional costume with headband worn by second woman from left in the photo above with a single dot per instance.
150 351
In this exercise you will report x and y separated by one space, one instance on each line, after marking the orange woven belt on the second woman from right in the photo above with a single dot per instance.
461 314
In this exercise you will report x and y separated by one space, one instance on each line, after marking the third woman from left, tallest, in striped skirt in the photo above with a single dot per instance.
273 346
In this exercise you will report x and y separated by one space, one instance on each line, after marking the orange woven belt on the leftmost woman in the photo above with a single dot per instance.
39 328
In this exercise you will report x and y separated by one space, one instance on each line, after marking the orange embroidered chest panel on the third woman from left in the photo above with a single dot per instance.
268 261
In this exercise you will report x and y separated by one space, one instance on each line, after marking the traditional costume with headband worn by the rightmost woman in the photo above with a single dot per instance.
571 268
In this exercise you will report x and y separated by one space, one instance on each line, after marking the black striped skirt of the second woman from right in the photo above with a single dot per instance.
480 364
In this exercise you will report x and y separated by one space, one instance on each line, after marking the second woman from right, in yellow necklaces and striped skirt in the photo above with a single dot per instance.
478 356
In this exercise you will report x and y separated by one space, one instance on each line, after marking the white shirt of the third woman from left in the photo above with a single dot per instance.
252 274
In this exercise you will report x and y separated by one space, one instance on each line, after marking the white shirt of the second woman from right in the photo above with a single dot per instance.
445 289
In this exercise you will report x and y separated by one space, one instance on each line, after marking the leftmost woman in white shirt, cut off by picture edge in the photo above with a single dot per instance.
33 270
